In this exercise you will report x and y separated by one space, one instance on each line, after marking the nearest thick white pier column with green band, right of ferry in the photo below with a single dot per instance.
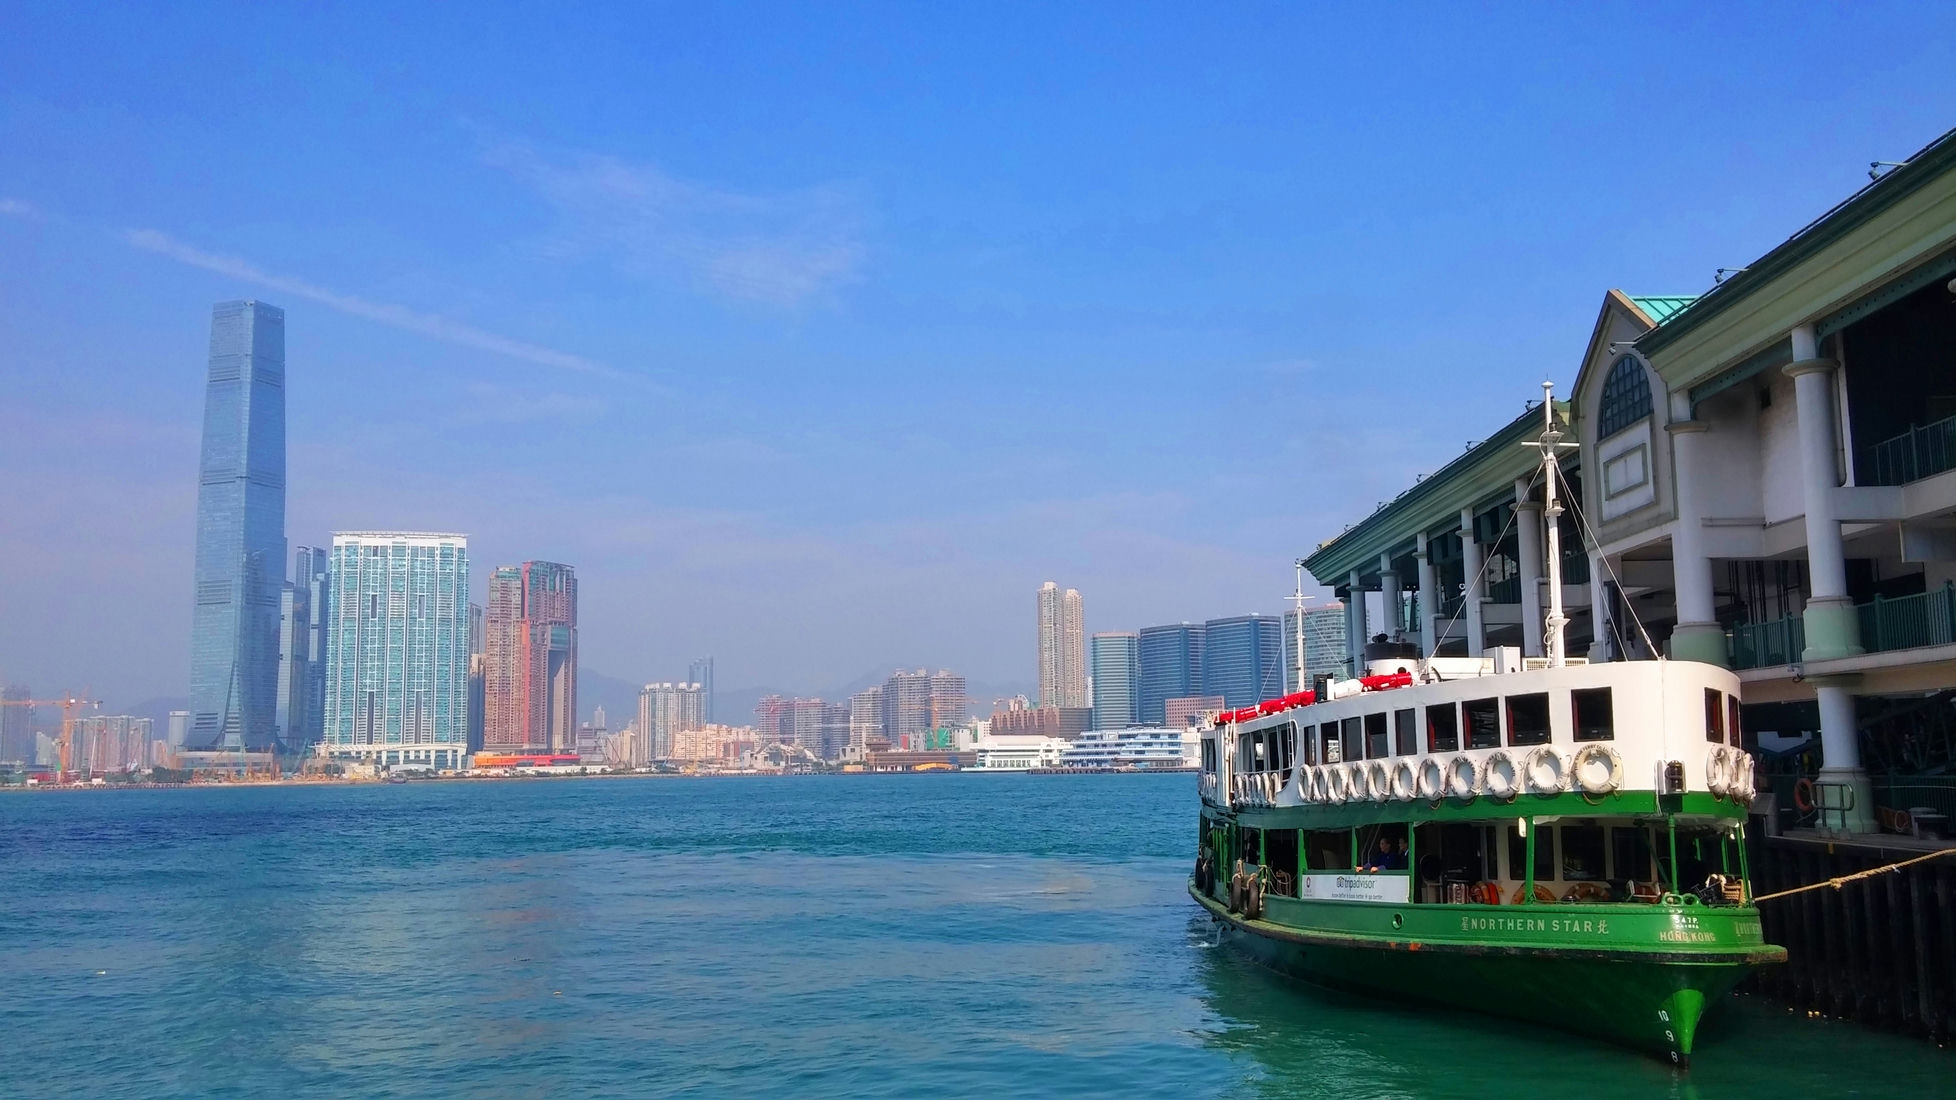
1832 625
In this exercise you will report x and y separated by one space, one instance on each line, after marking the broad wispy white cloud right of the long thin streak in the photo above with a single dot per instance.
778 250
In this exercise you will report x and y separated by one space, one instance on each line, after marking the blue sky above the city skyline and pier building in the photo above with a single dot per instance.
819 338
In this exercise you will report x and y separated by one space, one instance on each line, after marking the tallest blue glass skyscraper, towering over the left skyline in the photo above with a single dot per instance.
242 531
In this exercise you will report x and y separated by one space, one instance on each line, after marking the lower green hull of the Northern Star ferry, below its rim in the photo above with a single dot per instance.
1648 999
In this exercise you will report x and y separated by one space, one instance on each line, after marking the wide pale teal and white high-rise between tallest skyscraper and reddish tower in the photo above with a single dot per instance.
398 649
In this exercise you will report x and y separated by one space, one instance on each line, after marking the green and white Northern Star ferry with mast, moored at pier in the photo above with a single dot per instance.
1544 839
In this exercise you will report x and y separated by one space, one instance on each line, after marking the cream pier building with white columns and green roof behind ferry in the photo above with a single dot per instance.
1771 469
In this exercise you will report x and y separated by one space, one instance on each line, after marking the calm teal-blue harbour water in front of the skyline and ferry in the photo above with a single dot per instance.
824 937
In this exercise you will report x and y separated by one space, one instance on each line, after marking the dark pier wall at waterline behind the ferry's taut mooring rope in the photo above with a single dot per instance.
1879 950
